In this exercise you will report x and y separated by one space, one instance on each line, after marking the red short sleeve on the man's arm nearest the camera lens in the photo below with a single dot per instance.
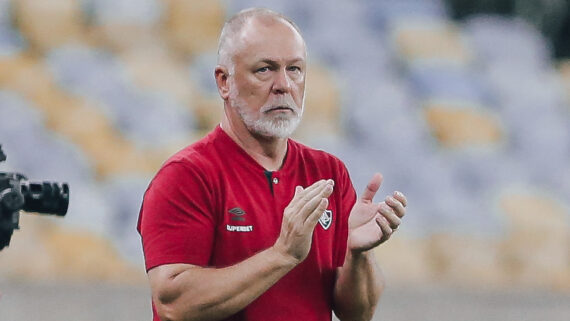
176 220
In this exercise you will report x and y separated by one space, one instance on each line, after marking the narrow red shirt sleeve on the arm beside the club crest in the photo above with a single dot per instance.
347 200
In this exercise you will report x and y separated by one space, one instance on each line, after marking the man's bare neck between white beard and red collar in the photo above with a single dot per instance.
267 152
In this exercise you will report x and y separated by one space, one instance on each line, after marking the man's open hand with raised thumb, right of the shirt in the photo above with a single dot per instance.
371 224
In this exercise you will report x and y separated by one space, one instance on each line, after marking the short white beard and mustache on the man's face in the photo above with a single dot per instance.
281 125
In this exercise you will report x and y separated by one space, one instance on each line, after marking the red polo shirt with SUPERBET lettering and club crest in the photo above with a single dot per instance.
212 205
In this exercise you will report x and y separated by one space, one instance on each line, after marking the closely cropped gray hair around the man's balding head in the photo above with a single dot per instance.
234 26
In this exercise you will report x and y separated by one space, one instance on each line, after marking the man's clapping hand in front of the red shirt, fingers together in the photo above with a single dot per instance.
300 218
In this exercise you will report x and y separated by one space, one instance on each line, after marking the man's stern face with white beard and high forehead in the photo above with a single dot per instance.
267 86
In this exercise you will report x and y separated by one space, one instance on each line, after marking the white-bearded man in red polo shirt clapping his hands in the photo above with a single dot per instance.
247 224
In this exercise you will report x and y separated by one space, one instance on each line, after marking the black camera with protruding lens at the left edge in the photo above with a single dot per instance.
17 193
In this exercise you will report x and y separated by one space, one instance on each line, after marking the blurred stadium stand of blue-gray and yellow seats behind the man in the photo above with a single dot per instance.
470 118
